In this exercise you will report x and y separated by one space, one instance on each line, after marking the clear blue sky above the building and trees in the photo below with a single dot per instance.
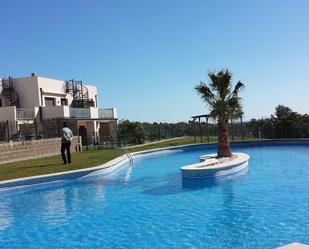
146 56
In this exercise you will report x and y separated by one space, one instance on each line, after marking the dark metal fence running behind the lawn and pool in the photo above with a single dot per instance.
200 133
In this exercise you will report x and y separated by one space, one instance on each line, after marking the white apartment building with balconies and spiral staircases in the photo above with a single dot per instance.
37 99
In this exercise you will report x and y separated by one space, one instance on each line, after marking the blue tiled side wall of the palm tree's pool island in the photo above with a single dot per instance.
199 183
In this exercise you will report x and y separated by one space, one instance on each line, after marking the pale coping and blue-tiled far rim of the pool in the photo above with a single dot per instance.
28 181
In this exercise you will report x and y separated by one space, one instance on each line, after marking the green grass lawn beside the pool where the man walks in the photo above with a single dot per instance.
85 159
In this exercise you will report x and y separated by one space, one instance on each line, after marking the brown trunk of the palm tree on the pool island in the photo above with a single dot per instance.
224 149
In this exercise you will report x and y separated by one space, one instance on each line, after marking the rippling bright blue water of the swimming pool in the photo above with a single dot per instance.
148 206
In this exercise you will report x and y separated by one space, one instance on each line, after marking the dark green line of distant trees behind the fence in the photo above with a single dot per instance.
284 123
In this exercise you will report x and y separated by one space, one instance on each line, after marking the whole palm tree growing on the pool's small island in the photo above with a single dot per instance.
224 104
